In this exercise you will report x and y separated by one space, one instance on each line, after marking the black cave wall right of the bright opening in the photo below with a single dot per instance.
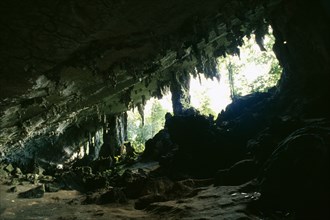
302 46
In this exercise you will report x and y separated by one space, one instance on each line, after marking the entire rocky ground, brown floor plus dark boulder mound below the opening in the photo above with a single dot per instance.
204 169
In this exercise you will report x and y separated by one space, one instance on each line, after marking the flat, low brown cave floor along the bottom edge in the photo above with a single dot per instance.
224 202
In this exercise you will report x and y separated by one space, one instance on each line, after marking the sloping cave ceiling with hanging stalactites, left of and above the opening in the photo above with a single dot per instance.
66 63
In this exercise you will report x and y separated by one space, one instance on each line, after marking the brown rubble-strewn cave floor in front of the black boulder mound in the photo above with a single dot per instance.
138 195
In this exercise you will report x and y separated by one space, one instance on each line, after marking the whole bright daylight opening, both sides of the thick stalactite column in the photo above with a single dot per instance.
254 70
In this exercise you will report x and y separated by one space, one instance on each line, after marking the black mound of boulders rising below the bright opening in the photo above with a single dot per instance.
288 156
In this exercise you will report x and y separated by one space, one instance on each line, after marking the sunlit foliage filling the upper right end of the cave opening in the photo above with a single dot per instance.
244 72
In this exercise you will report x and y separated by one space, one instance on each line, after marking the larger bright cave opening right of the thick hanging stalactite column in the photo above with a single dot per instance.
255 69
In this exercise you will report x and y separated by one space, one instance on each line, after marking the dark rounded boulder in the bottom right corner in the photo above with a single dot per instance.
296 176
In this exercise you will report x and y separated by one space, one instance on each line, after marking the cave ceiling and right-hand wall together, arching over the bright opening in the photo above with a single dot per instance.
64 65
